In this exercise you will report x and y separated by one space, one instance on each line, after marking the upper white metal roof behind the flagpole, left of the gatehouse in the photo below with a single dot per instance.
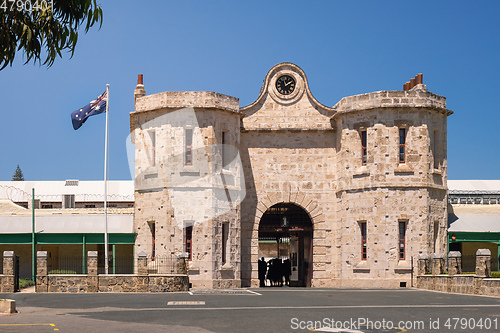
20 191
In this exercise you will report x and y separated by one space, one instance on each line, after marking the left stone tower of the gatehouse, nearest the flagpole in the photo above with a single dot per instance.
188 183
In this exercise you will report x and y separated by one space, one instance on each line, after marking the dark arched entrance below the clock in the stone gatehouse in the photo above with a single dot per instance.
285 232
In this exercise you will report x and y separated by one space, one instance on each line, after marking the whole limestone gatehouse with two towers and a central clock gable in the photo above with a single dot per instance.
350 193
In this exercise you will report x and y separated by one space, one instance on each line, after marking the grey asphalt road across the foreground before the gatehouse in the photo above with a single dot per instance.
255 310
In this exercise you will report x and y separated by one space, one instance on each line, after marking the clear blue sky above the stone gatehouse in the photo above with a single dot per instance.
344 47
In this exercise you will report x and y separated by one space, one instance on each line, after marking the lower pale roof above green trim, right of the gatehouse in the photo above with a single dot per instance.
473 222
